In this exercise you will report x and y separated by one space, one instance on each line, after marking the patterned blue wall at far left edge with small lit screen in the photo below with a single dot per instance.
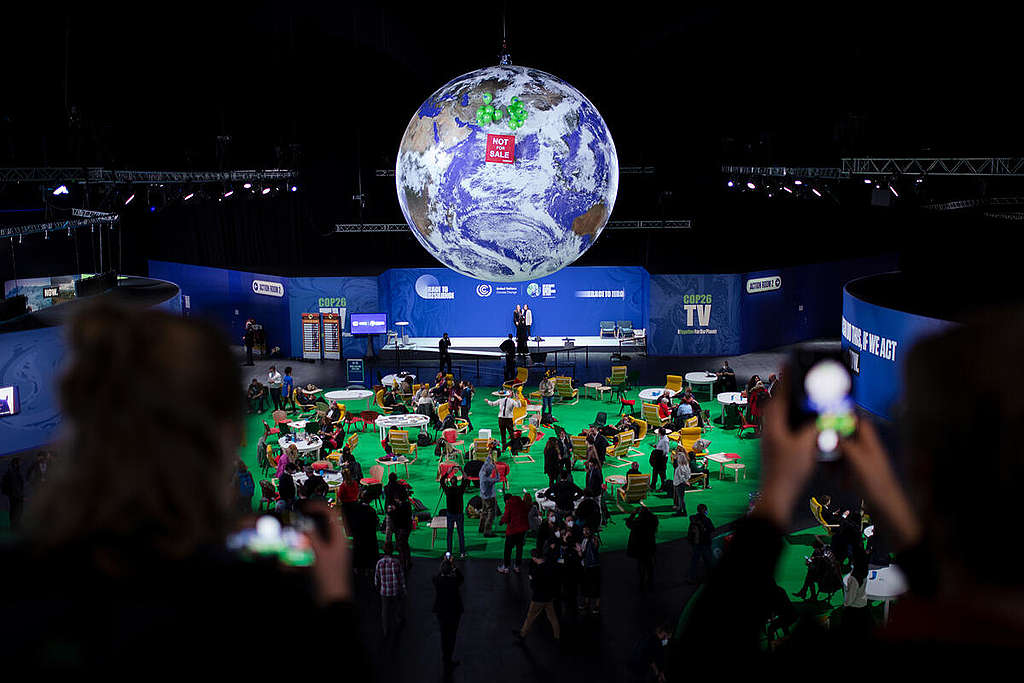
31 361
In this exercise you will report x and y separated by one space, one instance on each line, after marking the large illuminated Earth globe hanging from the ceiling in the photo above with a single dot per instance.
507 222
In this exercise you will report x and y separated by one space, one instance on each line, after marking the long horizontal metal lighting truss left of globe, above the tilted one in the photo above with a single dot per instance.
101 176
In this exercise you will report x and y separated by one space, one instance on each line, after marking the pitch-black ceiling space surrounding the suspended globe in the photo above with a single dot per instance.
329 89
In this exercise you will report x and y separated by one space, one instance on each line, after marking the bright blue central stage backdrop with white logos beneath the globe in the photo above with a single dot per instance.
571 303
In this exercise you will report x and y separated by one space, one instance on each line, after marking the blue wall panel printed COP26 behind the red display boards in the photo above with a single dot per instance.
343 295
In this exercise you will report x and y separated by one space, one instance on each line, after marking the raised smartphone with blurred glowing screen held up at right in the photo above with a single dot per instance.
821 394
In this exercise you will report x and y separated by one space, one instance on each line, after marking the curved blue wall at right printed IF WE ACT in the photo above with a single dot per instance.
877 341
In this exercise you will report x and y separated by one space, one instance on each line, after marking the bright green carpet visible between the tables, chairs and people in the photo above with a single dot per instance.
727 500
